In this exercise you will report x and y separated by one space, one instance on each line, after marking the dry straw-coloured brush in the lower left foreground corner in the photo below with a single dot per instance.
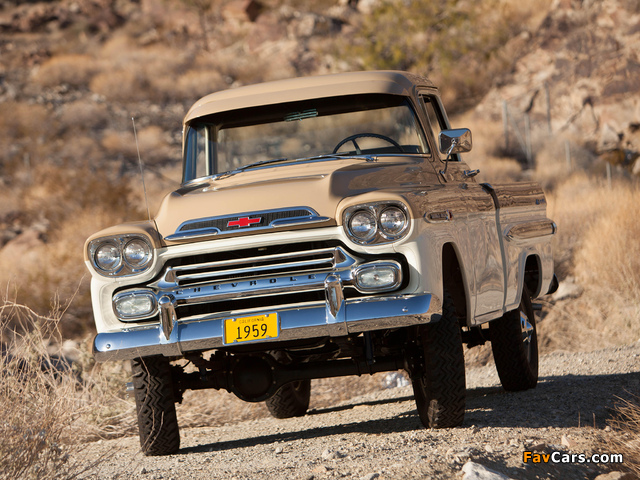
46 406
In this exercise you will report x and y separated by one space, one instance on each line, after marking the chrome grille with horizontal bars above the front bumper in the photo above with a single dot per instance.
270 278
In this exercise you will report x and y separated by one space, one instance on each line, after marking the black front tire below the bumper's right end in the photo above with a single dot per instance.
439 382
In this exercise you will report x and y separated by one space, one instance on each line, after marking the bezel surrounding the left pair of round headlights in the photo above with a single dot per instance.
125 266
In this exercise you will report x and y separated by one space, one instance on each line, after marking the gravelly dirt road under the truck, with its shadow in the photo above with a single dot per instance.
380 436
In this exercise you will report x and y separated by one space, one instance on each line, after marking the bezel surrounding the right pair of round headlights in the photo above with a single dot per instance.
381 235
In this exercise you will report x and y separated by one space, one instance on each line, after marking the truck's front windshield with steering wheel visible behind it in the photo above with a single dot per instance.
354 125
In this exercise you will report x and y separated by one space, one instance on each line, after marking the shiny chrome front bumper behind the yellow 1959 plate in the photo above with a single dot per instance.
338 317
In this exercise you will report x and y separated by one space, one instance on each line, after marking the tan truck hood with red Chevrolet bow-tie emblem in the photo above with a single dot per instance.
283 190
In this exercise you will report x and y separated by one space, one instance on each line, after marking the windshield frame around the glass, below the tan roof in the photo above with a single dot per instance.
278 113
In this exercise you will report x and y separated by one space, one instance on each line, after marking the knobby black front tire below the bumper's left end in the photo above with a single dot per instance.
157 420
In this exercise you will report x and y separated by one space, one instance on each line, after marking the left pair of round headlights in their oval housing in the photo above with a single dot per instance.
122 255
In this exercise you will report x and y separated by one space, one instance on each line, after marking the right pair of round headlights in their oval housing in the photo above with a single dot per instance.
376 223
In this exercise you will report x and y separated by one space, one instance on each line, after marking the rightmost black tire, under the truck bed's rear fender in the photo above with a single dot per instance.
514 342
